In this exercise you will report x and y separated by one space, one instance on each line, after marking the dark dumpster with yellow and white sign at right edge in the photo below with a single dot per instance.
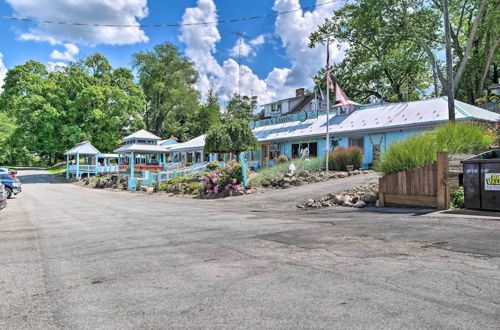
482 181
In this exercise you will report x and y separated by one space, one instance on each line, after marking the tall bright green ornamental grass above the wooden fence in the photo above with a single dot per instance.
421 149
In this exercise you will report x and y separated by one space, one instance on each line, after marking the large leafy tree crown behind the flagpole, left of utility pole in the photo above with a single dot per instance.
379 60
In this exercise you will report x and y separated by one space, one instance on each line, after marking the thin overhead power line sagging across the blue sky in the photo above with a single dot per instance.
25 19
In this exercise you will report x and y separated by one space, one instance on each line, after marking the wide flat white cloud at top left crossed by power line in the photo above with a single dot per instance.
83 11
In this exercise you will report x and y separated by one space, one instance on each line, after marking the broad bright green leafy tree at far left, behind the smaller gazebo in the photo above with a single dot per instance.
52 111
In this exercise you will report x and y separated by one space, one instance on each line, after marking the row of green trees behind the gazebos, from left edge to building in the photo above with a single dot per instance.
44 113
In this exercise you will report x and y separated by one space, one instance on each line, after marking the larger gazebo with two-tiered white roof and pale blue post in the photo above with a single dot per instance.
141 152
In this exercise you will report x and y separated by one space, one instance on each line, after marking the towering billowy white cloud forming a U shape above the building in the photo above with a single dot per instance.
292 29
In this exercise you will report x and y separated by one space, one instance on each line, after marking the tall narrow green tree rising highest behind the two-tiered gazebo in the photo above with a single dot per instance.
167 78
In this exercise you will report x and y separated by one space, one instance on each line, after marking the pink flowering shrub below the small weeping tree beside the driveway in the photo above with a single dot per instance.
226 178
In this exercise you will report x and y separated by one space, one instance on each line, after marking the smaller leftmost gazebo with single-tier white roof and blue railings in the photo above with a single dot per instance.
88 152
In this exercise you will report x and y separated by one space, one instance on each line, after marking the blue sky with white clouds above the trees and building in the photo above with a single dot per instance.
276 58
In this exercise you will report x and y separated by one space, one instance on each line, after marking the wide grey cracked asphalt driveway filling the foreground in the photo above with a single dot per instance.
78 258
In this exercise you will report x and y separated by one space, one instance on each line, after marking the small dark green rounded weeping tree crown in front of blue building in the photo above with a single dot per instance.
232 136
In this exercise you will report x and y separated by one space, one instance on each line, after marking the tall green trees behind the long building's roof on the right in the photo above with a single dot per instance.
394 49
